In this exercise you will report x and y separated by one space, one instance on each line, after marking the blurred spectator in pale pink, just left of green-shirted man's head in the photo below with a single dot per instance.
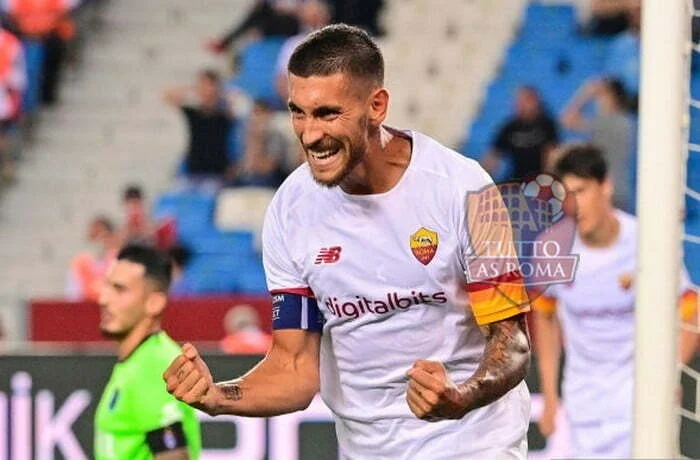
88 269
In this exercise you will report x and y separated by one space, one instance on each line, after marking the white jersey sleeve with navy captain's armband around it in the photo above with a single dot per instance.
294 305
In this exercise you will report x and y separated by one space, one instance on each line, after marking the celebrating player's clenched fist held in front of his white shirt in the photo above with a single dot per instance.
431 395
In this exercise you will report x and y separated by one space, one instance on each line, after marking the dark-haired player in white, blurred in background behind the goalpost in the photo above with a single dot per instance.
595 313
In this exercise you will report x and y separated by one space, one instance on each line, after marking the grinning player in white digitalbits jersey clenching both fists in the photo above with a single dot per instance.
365 250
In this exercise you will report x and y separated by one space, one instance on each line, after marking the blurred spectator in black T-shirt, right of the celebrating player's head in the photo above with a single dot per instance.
527 137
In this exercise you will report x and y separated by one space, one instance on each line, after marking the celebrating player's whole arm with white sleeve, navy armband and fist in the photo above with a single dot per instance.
287 379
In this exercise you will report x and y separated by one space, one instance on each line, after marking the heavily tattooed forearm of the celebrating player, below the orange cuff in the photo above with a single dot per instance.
504 364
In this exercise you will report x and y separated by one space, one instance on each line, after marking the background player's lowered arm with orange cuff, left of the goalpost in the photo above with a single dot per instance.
548 348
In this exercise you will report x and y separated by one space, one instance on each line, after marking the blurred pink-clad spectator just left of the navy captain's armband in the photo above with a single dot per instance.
243 333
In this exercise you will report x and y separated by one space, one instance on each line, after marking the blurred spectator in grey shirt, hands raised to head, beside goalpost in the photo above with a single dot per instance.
611 130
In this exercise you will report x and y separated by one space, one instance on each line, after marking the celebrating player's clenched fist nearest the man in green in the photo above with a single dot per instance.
189 380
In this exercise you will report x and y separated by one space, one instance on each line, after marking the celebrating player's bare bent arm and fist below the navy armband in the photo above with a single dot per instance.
286 380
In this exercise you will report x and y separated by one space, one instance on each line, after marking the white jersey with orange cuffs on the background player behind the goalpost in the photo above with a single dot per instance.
596 312
